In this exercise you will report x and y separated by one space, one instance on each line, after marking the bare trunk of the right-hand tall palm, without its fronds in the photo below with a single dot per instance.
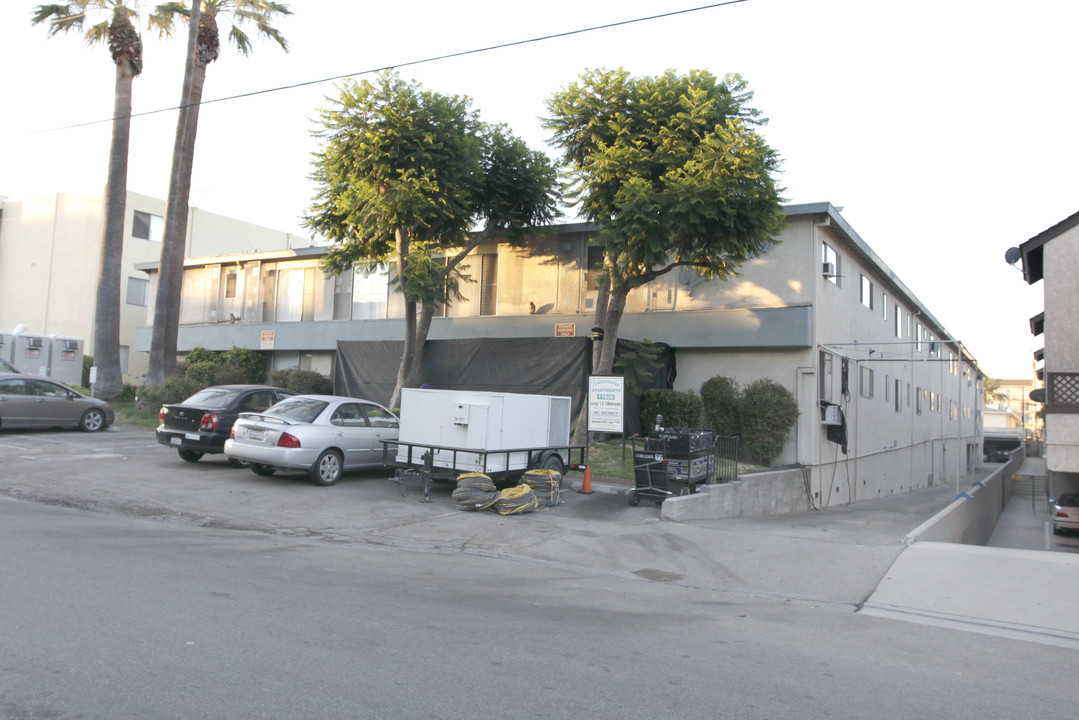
167 308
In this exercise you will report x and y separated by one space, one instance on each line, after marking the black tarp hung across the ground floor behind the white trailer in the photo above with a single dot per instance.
536 366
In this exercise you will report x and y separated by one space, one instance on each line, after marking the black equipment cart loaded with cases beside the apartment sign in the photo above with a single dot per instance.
672 463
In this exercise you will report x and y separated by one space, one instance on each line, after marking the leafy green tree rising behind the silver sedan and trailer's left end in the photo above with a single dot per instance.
404 176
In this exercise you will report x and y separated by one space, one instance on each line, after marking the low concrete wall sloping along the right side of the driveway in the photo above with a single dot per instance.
972 519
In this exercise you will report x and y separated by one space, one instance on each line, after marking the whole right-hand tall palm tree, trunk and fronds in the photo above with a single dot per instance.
204 48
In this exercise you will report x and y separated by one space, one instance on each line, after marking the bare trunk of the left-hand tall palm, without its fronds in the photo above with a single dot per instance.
107 308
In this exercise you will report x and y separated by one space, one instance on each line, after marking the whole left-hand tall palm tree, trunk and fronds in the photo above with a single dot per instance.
126 45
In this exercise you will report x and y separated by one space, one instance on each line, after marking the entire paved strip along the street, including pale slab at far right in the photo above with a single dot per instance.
848 558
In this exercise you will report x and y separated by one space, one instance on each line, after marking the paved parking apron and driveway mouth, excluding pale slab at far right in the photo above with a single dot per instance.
125 470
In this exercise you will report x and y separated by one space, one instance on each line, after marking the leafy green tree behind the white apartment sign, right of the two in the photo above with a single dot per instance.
674 171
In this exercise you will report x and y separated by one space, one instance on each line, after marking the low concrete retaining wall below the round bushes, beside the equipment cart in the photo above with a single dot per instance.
775 493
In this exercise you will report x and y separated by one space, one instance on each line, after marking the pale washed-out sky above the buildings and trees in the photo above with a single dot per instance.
945 130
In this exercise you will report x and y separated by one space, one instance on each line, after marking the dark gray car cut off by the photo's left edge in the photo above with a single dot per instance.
32 402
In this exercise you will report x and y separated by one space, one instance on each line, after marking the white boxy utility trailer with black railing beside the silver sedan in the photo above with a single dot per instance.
445 433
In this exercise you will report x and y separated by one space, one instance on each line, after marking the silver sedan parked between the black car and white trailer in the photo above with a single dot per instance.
321 434
